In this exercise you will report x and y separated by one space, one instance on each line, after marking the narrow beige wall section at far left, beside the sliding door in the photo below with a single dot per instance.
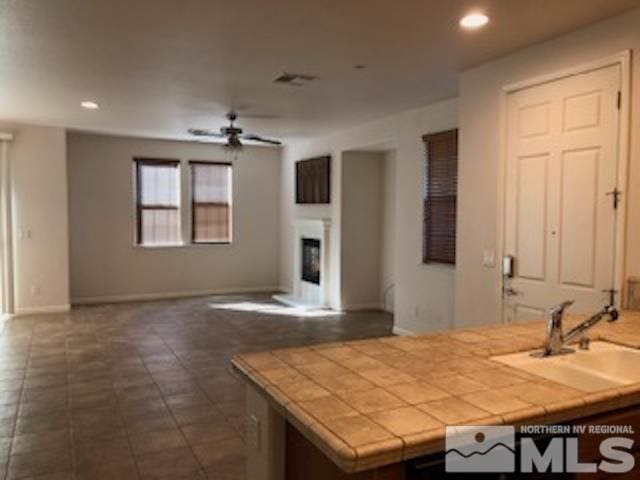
39 208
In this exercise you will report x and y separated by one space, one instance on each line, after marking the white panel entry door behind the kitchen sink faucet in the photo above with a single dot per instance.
562 150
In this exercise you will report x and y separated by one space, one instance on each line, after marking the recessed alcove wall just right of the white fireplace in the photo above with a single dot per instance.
361 229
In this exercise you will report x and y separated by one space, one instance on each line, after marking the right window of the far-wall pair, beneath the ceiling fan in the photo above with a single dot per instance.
211 185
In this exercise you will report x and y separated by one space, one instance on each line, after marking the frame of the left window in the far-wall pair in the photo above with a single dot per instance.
142 161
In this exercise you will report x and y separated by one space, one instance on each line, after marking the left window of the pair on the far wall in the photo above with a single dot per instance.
158 202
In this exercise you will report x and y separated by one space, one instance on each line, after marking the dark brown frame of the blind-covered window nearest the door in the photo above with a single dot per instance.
426 258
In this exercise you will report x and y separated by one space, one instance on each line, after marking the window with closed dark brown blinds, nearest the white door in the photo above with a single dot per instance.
440 197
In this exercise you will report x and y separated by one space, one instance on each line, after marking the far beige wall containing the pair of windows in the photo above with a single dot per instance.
106 265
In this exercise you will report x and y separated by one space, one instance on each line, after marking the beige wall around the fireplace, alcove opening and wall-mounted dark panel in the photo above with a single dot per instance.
423 294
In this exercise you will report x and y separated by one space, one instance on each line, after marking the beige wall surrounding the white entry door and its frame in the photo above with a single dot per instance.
478 288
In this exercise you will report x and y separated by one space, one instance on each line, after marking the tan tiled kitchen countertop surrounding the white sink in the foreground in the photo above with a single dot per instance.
369 403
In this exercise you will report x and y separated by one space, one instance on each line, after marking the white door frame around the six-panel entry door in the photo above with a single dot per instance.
622 59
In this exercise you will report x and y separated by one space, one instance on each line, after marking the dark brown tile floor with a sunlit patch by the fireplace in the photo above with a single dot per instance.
142 390
